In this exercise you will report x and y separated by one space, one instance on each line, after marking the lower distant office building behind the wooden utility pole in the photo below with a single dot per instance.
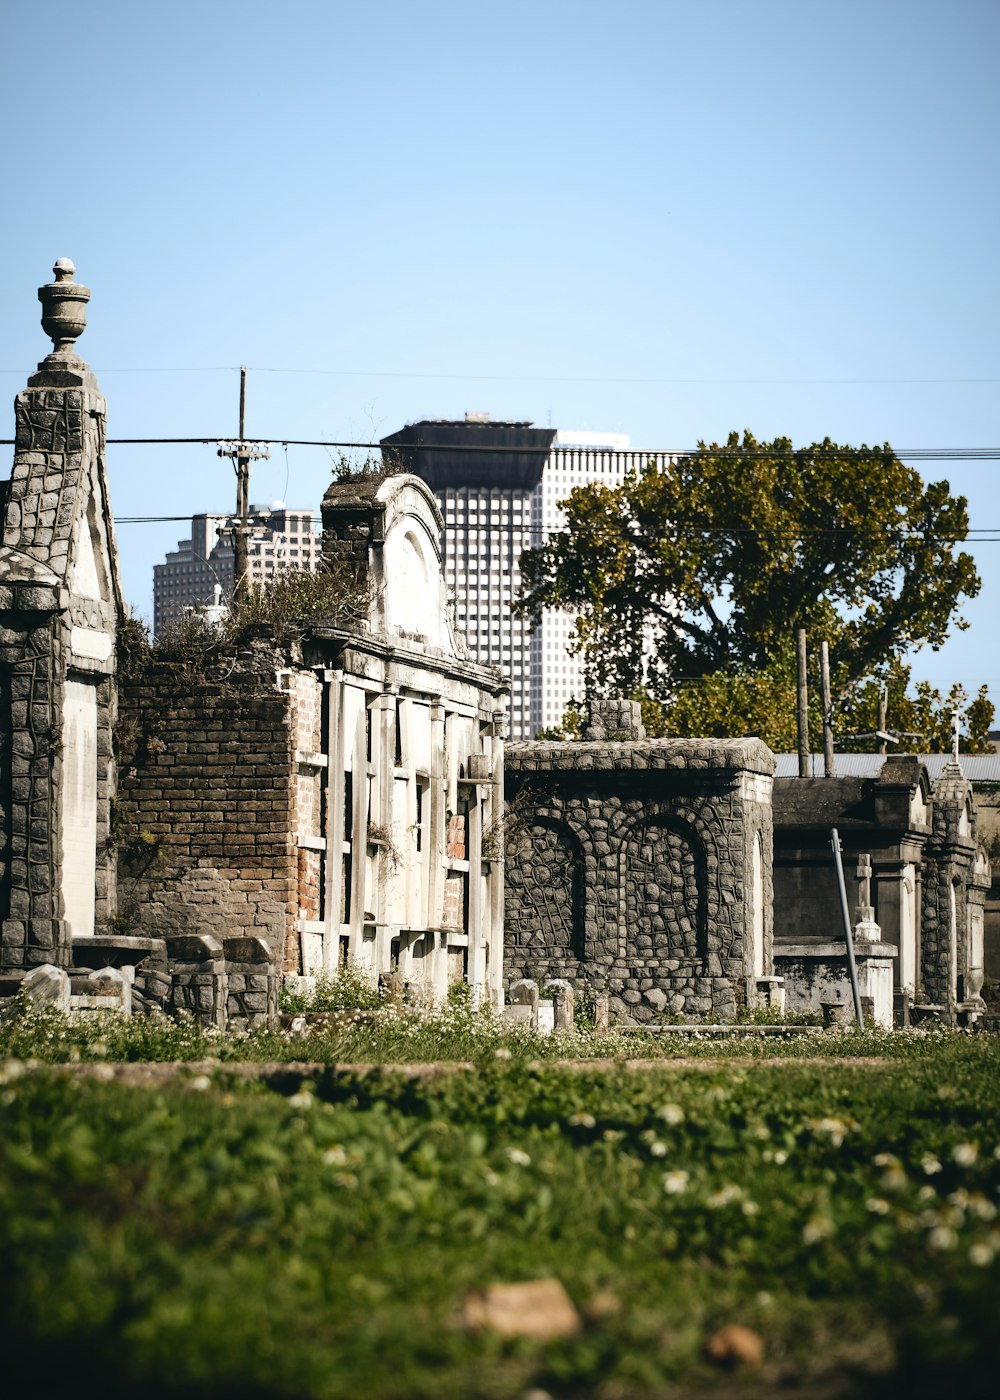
282 538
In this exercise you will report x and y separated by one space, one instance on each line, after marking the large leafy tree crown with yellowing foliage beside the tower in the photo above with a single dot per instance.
708 569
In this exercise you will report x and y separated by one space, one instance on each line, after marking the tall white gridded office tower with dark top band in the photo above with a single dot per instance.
501 488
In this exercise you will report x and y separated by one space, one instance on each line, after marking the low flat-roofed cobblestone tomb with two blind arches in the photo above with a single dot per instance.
630 870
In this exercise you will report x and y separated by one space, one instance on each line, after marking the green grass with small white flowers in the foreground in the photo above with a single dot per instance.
221 1238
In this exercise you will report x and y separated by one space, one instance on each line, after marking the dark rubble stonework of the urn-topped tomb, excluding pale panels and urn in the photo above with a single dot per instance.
57 492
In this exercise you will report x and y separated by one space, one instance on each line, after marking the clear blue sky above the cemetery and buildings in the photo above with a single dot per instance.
586 215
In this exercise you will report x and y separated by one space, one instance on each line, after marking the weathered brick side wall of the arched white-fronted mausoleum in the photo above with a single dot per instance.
212 779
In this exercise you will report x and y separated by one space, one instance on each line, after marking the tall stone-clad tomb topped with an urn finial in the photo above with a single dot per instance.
60 604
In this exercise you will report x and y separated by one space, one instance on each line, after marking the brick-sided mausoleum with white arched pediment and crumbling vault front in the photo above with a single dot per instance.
334 797
